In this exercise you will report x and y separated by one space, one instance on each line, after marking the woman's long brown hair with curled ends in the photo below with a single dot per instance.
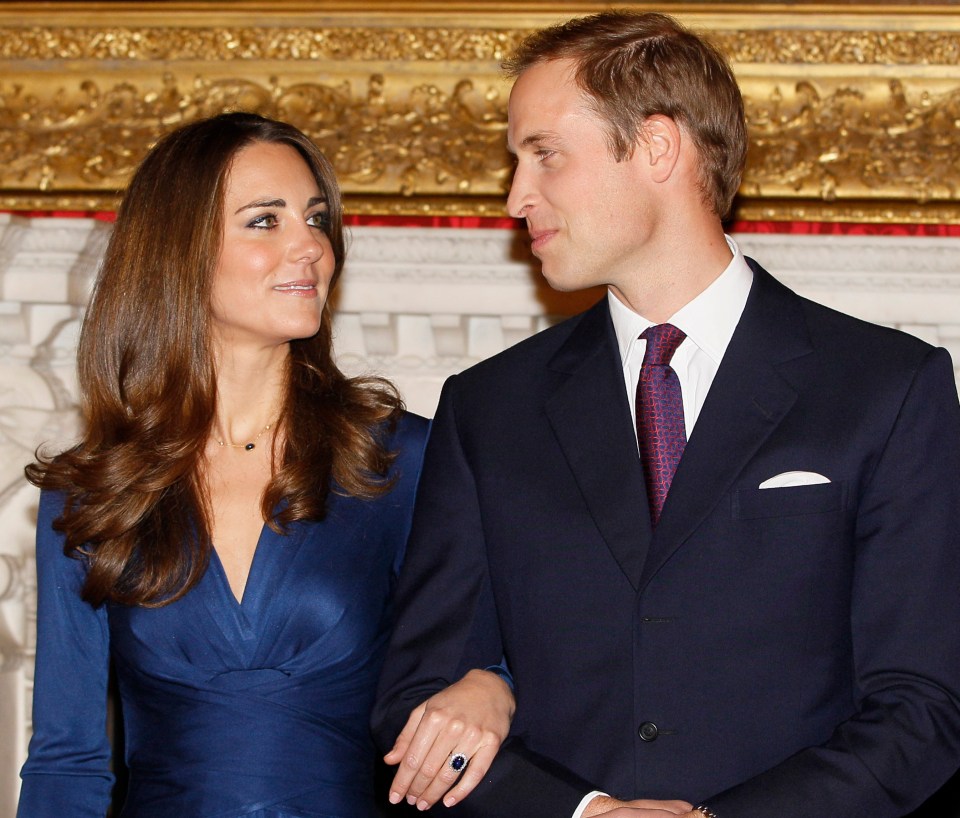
135 506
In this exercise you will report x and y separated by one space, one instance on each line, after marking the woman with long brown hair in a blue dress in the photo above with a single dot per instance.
230 525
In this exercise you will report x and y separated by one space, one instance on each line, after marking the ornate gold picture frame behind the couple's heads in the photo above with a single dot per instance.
854 109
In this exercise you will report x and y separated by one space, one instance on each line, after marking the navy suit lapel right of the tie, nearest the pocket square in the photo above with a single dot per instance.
747 400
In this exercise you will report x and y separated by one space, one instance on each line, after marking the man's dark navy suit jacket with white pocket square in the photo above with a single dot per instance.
775 652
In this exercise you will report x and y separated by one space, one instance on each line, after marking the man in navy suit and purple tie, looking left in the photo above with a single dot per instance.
780 636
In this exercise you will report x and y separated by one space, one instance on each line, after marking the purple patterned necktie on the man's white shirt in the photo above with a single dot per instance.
660 428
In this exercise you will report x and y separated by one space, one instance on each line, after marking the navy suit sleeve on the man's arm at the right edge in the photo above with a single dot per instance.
905 622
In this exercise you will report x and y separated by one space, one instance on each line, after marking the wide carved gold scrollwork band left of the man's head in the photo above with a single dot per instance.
432 141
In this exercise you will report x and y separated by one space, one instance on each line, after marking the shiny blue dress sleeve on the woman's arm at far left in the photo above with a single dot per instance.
67 772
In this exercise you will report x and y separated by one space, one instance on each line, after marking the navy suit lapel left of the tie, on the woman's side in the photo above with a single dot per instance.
590 417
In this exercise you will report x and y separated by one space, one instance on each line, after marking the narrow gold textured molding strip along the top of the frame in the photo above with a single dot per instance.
441 43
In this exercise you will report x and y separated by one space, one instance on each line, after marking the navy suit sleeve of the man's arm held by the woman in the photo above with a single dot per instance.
447 624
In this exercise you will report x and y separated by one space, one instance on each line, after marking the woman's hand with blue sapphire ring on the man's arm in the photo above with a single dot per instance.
471 717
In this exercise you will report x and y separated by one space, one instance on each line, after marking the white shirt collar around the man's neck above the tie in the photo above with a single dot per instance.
709 320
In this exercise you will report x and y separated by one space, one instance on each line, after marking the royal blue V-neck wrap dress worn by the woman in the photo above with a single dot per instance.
258 708
